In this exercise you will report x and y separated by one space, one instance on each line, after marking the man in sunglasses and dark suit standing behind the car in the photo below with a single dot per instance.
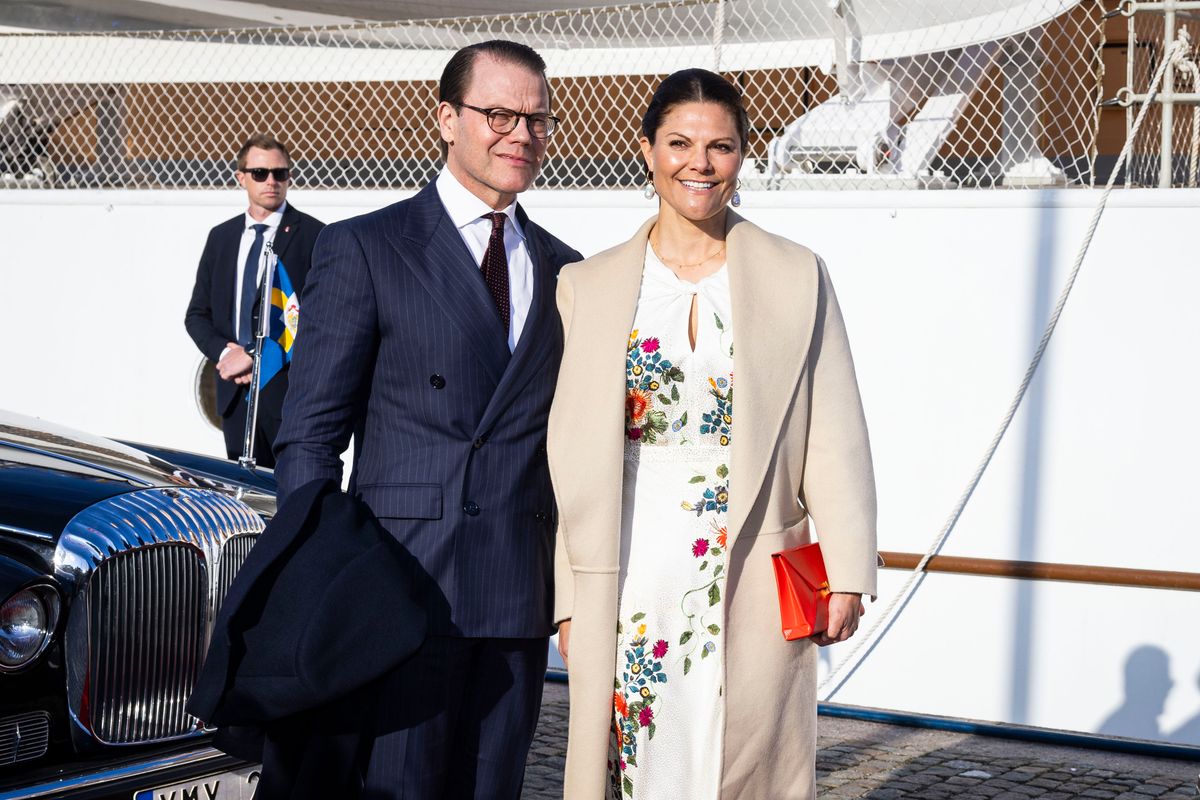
224 311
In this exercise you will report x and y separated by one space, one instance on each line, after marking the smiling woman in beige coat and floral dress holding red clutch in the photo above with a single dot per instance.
799 464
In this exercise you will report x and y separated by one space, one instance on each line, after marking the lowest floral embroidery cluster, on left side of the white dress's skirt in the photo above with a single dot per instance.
634 697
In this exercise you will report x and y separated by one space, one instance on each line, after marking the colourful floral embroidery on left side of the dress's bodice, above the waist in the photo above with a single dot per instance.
647 377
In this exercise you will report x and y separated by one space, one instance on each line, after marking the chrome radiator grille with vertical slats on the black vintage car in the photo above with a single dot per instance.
157 566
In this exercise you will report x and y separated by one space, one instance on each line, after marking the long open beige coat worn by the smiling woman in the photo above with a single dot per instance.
800 452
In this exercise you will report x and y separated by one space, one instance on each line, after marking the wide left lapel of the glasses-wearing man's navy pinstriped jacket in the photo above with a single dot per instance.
434 250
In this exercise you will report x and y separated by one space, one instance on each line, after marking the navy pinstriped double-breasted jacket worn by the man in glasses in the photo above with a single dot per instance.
401 347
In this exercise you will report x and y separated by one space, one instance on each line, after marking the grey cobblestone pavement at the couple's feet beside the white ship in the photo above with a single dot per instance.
880 762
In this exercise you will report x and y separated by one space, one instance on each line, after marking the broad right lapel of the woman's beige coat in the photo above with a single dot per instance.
775 310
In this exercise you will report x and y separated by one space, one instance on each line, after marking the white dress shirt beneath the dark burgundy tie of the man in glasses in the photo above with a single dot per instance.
467 213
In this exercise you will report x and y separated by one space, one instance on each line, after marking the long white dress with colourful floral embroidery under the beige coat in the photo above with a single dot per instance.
669 712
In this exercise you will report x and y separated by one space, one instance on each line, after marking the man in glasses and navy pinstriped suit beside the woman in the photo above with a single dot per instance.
431 335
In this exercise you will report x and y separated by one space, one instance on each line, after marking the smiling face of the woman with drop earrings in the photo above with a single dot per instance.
695 159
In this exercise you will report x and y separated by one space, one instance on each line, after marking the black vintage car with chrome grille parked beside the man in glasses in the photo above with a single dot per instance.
115 560
